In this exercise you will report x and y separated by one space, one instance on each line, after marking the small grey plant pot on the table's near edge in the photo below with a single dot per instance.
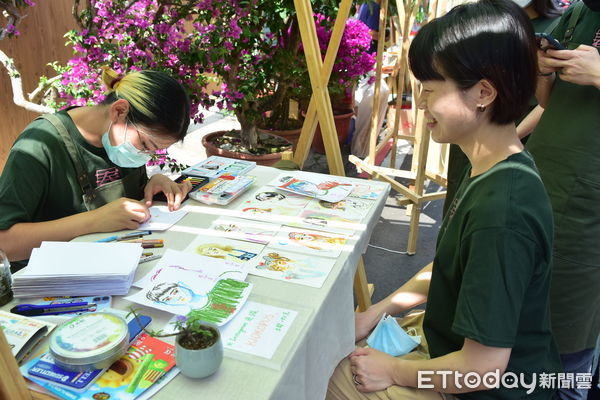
203 361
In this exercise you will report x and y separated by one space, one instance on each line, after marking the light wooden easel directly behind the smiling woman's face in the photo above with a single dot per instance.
414 196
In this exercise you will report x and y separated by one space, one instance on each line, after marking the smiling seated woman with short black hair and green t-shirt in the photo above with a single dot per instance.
487 297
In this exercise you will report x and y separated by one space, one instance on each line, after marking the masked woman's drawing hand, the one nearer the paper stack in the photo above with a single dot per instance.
119 214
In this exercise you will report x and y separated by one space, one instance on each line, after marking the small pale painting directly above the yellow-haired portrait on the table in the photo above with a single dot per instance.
244 229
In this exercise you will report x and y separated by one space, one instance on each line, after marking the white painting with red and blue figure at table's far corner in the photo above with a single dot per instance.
323 187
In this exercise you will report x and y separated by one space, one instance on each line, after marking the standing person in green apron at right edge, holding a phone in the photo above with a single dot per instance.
566 148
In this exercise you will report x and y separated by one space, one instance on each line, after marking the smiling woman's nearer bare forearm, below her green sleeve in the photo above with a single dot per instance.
473 357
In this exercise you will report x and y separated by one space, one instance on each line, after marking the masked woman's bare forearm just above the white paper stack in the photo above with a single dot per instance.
19 240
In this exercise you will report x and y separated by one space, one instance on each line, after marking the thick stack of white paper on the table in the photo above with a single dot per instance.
78 269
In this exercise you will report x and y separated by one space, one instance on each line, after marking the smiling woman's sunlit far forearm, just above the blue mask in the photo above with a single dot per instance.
411 294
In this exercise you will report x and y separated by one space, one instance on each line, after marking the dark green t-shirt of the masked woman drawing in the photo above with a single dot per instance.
39 182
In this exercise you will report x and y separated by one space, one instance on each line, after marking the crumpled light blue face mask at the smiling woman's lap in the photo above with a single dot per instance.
390 338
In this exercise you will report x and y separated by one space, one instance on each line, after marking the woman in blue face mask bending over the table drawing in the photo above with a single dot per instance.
82 170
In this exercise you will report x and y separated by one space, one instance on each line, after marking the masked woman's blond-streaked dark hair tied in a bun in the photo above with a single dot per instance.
156 100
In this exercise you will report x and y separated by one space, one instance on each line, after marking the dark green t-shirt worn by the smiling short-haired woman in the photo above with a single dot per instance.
491 274
